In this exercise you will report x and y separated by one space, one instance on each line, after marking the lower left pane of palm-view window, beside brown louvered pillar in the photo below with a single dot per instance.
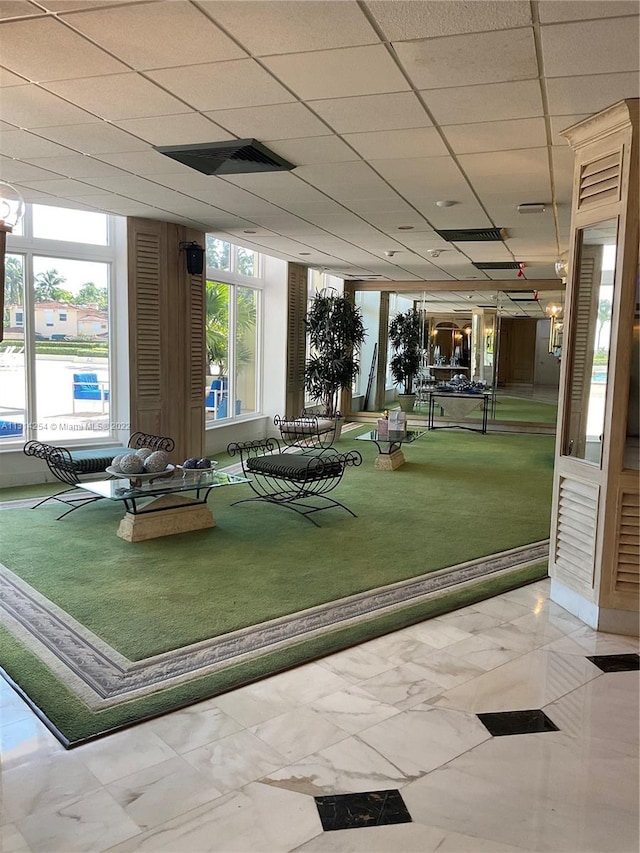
217 343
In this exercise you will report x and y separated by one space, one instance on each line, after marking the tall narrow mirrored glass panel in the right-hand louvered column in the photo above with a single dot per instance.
591 308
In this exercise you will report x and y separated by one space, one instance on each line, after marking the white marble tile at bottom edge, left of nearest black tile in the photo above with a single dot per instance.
257 819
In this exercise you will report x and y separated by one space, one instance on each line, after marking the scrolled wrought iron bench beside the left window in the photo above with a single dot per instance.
72 466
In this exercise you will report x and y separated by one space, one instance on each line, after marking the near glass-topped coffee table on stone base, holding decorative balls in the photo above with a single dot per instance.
160 506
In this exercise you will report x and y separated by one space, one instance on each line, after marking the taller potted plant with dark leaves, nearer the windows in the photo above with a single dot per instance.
336 332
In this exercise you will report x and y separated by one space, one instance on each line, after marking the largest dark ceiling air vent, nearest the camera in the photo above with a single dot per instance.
235 157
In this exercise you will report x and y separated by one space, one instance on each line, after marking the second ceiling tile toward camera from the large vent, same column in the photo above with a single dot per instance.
118 96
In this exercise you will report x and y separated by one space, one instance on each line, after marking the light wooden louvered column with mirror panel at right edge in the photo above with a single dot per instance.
595 534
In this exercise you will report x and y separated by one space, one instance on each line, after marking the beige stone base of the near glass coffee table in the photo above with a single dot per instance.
177 514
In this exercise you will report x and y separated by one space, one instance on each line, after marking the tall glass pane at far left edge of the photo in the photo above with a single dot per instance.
12 359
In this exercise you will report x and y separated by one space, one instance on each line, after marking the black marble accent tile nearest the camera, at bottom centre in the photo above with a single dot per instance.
351 811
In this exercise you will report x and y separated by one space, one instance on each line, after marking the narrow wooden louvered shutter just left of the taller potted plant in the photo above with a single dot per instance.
296 337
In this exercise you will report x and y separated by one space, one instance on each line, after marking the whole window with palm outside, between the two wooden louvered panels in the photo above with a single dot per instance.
232 325
